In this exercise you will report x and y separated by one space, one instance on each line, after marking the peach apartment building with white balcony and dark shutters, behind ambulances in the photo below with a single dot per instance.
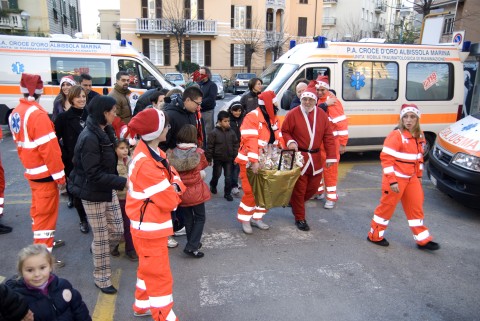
220 34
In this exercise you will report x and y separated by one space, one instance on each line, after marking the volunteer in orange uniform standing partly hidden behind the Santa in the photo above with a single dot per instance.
338 121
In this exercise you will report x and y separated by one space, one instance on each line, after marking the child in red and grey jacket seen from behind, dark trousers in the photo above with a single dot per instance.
190 161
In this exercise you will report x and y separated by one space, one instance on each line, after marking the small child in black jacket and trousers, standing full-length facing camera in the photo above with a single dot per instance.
222 148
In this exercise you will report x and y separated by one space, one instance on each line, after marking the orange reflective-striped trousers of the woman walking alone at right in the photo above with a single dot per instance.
411 196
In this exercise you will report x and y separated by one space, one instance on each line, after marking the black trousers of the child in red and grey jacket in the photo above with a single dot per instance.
194 219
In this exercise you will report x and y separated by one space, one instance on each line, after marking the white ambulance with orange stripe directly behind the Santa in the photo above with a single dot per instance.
373 80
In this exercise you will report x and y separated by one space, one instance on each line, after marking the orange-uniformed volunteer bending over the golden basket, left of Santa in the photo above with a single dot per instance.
259 128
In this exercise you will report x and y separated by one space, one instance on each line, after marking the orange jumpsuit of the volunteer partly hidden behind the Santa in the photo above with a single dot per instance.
339 124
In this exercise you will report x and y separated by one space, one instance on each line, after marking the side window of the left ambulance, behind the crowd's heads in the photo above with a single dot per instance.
99 69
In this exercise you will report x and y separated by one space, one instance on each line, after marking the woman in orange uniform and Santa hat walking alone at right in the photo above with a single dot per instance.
402 163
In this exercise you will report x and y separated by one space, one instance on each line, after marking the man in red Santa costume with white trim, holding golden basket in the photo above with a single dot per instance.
304 129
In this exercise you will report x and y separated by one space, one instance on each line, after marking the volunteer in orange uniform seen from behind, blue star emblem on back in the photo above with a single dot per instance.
40 154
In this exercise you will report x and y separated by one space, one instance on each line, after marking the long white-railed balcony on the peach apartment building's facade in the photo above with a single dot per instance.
165 26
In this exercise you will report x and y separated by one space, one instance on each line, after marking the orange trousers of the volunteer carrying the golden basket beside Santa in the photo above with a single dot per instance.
247 208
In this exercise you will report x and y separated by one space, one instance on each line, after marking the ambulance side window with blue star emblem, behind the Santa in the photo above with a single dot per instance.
370 80
